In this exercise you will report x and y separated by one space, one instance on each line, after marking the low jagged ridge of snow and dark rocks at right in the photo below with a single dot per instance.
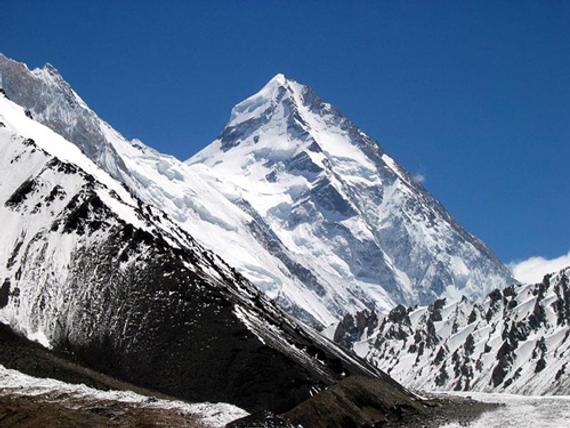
517 340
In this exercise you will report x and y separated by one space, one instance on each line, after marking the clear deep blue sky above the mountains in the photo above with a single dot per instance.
473 95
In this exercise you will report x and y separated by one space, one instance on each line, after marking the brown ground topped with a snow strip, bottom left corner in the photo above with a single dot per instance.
27 401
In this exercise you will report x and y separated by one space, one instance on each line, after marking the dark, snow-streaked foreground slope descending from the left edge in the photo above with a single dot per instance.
87 268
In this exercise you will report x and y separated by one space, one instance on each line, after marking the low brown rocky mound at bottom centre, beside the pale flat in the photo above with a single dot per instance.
359 402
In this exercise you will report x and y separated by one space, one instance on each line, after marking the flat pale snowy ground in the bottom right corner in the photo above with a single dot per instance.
518 411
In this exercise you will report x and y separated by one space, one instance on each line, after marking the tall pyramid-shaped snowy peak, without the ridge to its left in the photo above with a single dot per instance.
368 232
